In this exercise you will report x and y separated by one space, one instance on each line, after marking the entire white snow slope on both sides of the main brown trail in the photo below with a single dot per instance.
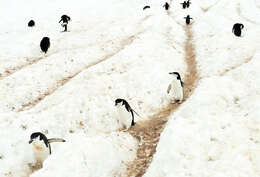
114 49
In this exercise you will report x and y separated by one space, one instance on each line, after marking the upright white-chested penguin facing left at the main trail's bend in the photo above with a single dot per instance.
175 88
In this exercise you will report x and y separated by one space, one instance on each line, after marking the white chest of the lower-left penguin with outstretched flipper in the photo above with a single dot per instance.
40 151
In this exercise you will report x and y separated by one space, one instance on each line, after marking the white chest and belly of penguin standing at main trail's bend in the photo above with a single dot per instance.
175 91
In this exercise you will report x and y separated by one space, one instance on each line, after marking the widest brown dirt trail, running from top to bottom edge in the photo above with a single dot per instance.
148 132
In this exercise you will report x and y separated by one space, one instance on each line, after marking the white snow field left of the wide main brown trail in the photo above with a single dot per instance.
140 50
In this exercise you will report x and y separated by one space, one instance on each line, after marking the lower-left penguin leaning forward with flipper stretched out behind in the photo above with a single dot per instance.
41 146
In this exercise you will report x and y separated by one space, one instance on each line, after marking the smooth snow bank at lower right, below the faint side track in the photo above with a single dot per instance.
215 133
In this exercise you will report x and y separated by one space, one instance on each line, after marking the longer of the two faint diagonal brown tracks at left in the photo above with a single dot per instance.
63 81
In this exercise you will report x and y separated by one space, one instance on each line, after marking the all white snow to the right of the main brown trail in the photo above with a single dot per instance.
215 133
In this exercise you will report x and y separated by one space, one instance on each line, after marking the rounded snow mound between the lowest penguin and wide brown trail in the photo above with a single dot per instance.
96 156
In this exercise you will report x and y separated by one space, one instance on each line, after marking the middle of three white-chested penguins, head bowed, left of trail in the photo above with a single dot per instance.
125 112
